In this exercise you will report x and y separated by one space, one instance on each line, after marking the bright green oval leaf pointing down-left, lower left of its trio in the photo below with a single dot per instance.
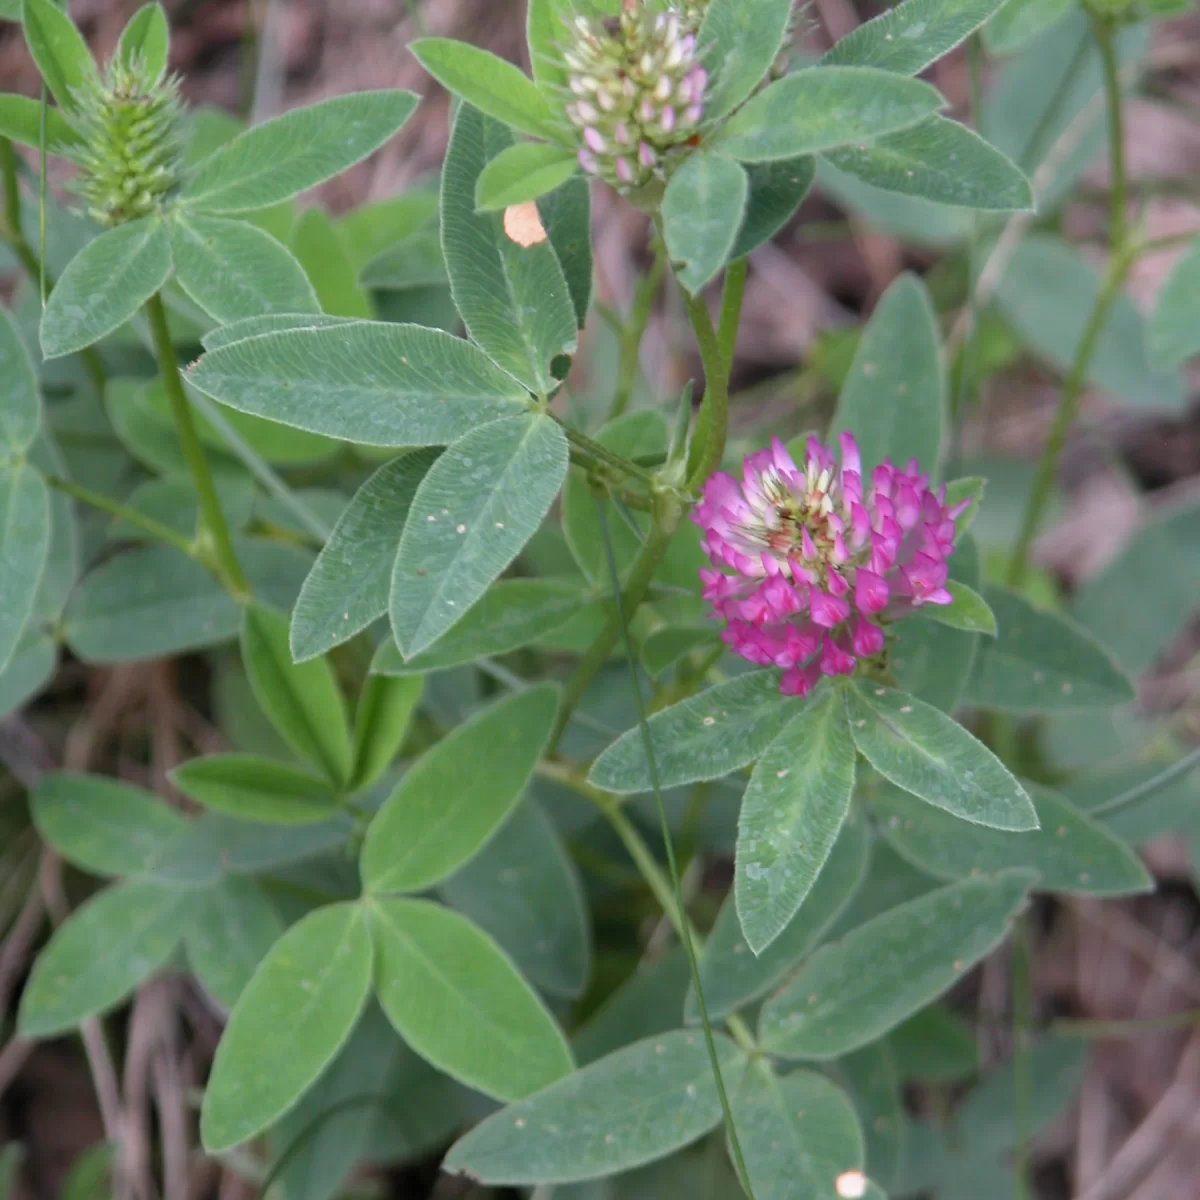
290 1022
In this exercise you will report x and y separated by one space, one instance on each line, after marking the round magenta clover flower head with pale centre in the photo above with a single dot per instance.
809 565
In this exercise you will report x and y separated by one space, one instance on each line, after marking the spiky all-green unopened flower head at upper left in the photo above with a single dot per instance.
131 125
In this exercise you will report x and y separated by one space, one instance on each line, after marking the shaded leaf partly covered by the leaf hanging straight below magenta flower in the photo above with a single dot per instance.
734 977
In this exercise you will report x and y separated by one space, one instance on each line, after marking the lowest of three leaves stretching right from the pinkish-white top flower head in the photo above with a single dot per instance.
943 161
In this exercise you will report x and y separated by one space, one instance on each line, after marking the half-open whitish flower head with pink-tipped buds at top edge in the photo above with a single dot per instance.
638 89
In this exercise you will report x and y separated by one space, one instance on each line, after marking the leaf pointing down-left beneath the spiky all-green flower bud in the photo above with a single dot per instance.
105 285
